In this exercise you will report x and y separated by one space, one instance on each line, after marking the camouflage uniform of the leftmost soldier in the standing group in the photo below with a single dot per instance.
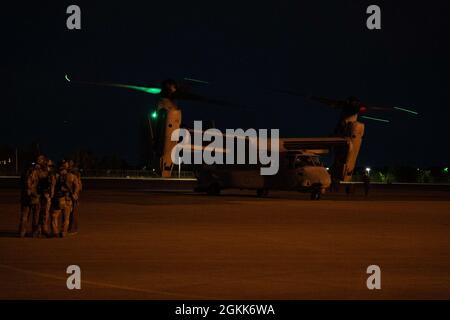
29 201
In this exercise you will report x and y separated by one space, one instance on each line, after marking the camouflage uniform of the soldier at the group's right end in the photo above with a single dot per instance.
66 191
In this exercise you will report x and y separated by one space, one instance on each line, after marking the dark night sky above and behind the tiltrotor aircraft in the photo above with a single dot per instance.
246 50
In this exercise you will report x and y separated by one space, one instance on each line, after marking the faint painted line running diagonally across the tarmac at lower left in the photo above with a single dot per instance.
104 285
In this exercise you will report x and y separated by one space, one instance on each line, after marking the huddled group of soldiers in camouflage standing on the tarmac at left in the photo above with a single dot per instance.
49 198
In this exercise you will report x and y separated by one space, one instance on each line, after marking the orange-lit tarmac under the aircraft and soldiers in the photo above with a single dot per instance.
162 241
